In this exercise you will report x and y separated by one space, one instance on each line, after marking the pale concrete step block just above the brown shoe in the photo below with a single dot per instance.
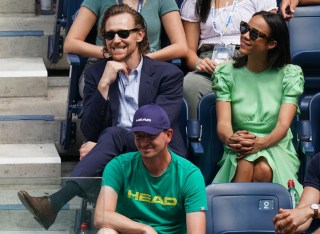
22 161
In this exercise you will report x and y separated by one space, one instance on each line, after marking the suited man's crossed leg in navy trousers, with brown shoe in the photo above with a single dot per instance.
112 142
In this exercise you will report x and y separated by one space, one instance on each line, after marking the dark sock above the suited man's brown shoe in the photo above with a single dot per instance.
65 194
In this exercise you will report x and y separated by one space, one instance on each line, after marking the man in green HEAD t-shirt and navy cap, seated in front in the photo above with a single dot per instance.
153 190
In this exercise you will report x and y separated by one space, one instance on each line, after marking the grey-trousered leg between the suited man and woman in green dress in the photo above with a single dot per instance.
195 86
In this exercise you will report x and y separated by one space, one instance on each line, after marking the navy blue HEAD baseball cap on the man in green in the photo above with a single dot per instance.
150 119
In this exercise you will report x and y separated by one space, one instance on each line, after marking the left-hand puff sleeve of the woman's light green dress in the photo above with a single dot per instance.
223 82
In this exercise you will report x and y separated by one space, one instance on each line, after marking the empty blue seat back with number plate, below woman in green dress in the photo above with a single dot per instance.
244 207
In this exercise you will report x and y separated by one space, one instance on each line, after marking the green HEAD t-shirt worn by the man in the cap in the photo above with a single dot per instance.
161 202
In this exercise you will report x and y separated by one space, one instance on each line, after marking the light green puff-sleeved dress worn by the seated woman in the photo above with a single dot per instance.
256 99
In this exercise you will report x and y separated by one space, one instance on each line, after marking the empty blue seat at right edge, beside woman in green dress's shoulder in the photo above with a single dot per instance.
305 50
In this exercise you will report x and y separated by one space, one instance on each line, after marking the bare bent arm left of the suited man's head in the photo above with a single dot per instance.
80 29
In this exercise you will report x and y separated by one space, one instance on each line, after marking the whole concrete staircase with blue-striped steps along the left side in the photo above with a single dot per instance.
32 106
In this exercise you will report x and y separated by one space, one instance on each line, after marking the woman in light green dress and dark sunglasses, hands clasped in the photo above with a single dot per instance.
257 99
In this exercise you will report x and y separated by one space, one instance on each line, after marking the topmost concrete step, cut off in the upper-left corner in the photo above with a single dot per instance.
17 6
